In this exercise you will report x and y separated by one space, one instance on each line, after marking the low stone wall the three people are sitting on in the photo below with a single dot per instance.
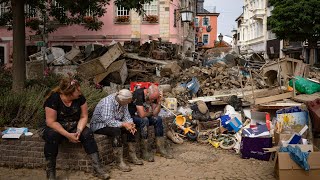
28 152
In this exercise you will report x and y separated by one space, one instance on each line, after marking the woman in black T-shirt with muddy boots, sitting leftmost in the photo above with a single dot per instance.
66 117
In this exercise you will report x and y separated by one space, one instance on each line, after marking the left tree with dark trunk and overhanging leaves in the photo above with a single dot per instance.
66 12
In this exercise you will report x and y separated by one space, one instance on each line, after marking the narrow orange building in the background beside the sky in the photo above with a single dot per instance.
206 26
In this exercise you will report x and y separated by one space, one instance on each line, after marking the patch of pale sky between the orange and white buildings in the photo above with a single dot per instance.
229 10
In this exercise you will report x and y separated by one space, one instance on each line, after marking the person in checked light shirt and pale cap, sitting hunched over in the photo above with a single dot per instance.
111 117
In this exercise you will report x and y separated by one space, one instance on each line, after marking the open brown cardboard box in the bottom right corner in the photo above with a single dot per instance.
287 169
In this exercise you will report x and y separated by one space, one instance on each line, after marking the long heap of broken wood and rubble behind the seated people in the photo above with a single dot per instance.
156 61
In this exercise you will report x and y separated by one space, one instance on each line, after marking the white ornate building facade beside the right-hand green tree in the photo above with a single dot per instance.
253 34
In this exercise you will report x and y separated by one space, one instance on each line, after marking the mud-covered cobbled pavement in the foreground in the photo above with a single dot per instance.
192 161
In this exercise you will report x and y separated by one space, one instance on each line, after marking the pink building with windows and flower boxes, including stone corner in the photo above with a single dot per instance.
162 20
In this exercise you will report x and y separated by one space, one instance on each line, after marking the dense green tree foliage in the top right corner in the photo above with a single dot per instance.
295 20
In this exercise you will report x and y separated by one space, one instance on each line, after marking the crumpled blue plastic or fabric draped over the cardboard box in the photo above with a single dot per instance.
301 158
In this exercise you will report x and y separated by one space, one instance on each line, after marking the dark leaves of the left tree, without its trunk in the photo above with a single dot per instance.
67 12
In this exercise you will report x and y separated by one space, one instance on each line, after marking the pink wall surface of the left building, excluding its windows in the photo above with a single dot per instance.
78 35
